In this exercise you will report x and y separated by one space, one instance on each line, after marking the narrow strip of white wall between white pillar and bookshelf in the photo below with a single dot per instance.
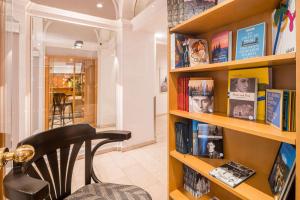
161 62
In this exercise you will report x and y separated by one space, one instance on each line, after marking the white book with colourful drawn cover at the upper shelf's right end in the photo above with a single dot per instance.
284 30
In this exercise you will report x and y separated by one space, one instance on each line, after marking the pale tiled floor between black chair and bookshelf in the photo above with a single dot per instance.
145 167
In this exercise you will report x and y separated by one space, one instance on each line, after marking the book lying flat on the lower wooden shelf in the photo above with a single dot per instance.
232 173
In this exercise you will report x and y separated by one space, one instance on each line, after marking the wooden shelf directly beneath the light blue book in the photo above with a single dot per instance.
272 60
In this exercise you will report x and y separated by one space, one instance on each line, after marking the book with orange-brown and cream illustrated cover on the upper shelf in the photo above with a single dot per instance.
198 52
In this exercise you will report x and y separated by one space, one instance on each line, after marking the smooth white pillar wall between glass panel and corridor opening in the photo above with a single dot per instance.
136 54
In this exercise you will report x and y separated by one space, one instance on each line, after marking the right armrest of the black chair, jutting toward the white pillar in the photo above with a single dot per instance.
113 135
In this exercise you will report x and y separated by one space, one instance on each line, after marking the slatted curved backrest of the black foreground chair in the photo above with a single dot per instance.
55 153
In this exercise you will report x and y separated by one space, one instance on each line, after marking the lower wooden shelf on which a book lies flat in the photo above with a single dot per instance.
246 190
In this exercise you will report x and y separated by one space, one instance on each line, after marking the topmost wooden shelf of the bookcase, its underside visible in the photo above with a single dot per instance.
222 14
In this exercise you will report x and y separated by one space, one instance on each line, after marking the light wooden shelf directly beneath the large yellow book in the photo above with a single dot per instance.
244 126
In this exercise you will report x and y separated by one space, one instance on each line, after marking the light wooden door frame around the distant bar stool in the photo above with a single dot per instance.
48 60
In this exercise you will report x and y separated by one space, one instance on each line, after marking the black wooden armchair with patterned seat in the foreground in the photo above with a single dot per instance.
49 174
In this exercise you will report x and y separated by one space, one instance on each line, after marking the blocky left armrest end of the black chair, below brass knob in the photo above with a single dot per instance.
20 186
